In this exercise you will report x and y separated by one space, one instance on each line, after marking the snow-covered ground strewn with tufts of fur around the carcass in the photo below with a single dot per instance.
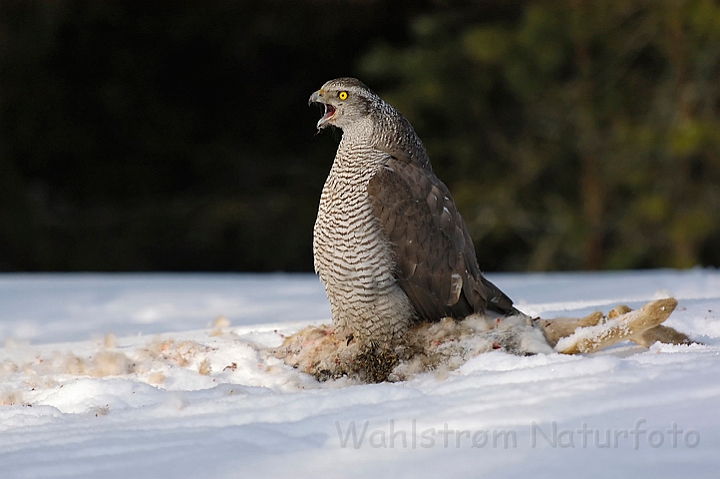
135 376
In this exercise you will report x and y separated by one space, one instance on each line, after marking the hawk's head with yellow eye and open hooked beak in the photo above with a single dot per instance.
346 100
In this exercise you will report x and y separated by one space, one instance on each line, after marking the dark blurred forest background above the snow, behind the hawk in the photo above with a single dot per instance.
175 136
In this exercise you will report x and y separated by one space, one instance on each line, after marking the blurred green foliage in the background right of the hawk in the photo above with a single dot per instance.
574 134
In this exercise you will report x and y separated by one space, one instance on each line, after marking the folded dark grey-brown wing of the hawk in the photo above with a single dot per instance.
436 263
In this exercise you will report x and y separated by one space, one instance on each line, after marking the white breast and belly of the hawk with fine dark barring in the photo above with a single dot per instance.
352 255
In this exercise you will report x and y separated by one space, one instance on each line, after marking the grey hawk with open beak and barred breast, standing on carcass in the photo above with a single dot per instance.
389 244
